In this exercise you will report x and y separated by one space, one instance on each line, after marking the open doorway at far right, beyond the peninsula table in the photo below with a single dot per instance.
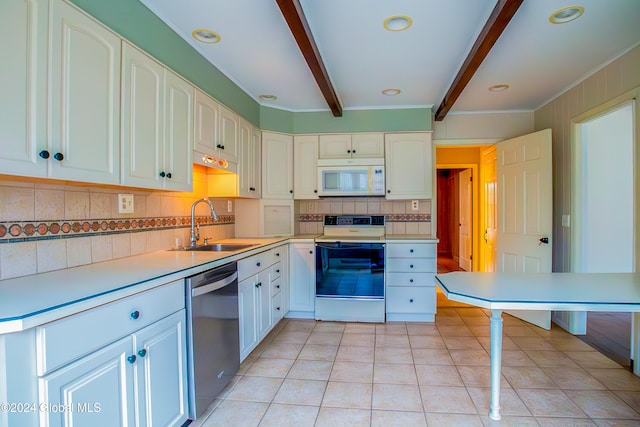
604 239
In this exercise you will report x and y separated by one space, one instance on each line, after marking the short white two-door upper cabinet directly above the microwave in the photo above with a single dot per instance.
347 146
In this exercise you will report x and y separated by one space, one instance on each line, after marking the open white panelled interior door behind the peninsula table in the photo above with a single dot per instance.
525 210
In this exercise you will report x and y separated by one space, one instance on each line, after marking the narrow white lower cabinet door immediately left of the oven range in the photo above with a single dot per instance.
302 277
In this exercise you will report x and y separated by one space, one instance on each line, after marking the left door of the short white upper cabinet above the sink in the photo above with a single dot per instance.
206 124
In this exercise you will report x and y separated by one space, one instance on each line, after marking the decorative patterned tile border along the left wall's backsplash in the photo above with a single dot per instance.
42 230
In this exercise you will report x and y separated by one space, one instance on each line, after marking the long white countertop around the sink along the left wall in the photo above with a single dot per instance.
29 301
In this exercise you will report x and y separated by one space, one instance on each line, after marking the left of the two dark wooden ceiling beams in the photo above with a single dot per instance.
294 15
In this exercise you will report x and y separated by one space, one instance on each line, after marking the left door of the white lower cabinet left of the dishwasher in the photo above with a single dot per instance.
97 390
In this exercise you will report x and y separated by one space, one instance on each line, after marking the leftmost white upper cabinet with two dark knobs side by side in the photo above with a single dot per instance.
83 98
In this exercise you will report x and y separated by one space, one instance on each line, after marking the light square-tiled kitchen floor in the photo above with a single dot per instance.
308 373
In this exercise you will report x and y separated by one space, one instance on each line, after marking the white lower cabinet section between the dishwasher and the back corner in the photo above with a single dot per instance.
260 288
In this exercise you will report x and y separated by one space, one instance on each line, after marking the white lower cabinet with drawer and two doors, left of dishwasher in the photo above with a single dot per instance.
138 379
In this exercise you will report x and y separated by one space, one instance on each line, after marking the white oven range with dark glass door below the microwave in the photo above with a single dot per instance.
350 269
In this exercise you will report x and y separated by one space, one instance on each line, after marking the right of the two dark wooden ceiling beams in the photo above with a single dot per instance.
497 22
